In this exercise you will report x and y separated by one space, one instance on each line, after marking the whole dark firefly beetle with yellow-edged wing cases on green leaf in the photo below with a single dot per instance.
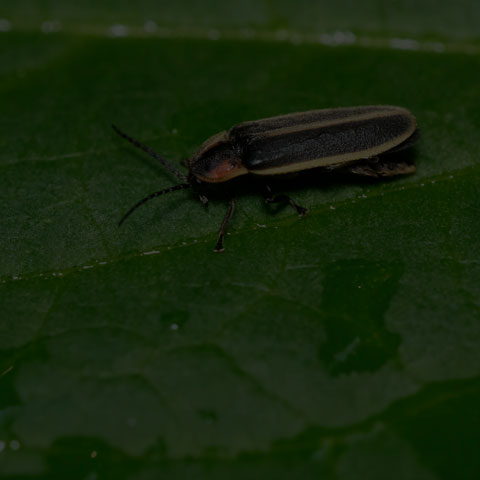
352 138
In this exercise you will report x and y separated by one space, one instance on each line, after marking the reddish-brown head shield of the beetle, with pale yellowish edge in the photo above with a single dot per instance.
215 161
